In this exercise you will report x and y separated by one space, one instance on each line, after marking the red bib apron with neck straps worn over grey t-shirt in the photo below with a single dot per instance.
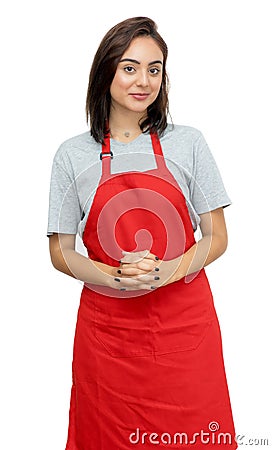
148 366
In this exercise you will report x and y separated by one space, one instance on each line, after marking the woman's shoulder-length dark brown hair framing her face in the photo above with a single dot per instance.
103 69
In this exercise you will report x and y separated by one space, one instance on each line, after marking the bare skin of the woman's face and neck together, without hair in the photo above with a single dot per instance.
139 72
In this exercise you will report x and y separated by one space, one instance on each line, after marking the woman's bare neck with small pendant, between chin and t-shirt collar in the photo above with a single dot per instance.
124 127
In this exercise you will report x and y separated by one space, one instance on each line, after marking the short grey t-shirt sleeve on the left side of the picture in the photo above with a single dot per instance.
64 207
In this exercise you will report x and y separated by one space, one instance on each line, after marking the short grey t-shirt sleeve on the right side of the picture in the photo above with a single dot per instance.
207 190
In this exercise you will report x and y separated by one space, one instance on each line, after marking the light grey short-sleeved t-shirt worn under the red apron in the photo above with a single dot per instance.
77 169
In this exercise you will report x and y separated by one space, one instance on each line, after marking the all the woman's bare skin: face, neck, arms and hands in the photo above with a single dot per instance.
140 75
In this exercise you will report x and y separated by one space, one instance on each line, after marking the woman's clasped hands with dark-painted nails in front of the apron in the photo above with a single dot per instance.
144 270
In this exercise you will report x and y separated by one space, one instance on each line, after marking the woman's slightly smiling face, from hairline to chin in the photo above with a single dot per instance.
138 77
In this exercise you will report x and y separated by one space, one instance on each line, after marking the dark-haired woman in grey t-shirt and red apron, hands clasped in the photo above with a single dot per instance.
148 365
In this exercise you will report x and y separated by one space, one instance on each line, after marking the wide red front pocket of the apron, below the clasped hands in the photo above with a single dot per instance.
171 319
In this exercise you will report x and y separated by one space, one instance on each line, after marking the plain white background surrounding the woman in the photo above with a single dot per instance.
220 73
